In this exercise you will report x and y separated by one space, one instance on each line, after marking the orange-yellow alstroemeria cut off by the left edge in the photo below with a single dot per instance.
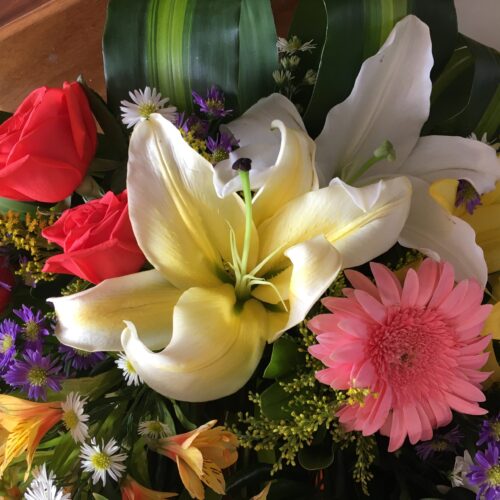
22 426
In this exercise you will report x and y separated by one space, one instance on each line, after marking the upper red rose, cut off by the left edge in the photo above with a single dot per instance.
47 145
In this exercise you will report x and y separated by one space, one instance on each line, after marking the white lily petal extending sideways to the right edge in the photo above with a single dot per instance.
442 157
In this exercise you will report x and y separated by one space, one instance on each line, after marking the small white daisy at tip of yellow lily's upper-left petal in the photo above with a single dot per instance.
145 102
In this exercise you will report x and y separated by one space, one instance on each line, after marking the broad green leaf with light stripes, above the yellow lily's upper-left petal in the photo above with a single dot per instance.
182 46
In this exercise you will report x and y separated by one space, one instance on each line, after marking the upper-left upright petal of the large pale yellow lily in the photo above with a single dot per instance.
176 215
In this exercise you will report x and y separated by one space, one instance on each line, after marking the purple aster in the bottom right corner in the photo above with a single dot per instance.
486 474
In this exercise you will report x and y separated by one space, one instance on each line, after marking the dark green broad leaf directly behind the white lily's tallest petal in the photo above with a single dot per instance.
354 31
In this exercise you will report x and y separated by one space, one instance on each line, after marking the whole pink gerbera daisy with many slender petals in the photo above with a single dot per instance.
416 349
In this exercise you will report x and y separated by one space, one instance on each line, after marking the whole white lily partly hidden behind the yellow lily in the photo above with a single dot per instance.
390 101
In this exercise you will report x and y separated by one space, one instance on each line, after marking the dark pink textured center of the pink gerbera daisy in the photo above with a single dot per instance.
402 348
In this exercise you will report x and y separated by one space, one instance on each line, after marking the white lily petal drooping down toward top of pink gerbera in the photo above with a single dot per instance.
434 232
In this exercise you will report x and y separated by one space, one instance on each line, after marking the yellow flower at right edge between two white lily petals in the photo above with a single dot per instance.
485 219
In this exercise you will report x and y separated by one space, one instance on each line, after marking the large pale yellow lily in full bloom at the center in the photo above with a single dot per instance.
230 274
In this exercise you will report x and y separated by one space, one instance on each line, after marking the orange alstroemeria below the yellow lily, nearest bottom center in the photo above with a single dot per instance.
201 455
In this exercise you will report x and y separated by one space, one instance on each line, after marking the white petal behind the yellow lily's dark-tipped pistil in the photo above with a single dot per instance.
256 140
